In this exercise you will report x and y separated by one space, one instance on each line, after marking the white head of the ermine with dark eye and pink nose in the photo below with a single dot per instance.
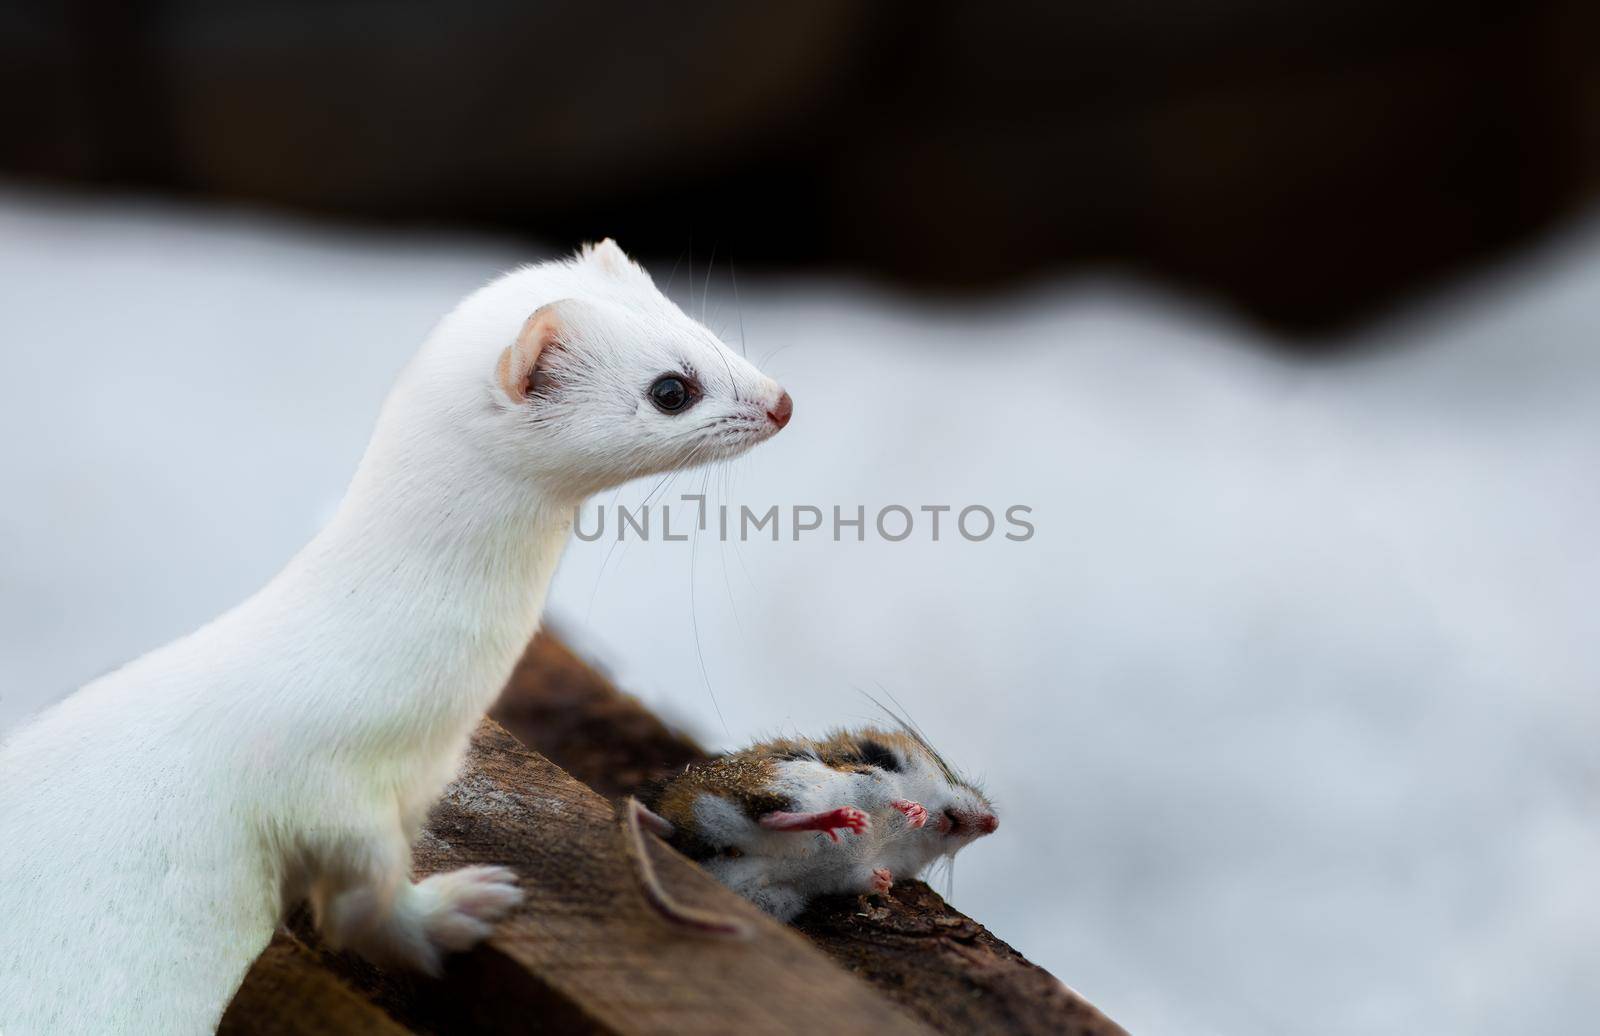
598 378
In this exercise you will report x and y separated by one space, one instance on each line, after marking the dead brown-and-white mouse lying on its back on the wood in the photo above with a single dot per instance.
793 819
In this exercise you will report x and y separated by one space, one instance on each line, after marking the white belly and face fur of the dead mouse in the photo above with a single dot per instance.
783 871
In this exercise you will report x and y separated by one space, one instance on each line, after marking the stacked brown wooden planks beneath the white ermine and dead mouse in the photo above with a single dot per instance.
586 955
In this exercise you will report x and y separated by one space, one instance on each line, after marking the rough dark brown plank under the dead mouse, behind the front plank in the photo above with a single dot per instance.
914 947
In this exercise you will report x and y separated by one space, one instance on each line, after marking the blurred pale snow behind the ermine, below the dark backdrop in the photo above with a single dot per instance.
1290 704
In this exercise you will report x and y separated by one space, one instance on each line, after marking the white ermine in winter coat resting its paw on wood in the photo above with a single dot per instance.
156 824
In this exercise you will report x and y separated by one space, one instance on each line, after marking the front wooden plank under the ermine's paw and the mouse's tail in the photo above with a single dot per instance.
585 954
